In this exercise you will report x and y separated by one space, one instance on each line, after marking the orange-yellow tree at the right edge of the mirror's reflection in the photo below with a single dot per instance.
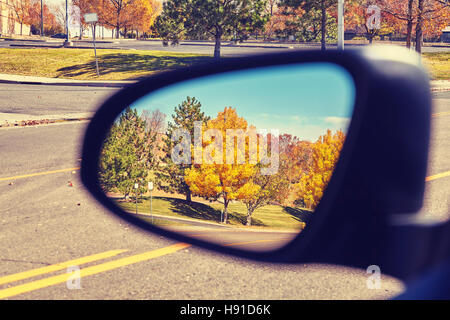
325 154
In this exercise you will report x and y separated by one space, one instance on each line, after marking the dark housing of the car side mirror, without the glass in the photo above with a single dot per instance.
381 171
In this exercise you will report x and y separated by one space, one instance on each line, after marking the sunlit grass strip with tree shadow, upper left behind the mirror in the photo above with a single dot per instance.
79 64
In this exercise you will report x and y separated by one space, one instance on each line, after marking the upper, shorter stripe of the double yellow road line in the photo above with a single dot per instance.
59 266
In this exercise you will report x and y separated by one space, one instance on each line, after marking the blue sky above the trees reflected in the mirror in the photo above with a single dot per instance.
303 100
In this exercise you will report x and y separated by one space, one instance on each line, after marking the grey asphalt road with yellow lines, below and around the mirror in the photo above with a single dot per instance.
48 219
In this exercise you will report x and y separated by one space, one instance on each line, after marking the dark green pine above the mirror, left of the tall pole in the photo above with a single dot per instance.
210 18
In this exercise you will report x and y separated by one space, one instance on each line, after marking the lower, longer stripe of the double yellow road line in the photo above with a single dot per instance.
107 266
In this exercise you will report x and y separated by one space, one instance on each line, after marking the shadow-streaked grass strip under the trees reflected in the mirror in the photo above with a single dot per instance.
271 216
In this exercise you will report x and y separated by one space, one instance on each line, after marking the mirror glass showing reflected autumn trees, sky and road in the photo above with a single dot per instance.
241 158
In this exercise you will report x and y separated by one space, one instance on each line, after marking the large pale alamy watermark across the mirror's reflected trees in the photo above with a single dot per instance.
238 146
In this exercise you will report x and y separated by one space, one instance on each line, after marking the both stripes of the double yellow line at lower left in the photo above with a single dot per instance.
84 272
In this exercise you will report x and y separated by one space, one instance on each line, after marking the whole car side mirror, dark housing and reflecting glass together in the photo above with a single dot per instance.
297 157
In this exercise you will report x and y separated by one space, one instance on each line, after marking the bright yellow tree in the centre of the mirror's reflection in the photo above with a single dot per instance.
218 178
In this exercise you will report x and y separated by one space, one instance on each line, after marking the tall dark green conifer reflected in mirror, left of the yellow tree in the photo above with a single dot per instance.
170 175
